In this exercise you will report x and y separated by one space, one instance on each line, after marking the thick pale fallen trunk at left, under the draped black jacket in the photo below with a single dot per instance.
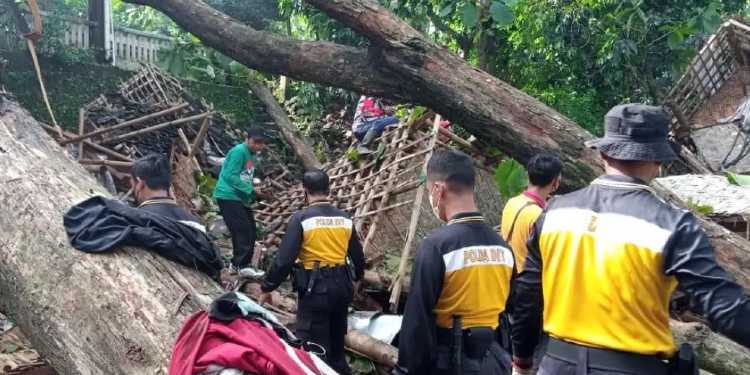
114 313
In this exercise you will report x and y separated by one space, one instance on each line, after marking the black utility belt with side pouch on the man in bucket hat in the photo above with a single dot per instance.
683 363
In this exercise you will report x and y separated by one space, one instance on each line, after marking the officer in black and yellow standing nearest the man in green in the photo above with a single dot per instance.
319 239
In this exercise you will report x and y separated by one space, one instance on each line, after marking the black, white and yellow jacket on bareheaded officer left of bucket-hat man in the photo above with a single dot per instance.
463 268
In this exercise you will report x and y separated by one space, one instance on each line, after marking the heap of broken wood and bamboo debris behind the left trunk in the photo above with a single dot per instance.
150 113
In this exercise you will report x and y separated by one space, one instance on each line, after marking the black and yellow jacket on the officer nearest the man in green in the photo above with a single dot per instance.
319 233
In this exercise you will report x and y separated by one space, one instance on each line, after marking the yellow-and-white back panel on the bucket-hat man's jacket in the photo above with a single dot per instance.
603 281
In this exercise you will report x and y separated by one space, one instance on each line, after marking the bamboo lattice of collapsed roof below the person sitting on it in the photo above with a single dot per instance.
367 189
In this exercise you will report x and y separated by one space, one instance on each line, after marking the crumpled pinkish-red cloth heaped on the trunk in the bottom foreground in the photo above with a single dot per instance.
241 344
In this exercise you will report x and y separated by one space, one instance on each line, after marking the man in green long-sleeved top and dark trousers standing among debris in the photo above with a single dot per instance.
235 192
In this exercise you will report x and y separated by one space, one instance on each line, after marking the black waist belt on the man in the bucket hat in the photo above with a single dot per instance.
604 359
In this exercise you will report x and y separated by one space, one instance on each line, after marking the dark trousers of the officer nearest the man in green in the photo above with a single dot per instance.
322 315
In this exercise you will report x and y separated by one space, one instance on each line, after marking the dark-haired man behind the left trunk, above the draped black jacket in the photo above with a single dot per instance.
151 179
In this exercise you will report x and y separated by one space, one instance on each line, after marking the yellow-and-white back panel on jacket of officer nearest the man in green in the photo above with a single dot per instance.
325 239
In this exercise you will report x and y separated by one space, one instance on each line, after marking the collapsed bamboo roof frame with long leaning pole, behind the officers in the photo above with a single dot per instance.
381 193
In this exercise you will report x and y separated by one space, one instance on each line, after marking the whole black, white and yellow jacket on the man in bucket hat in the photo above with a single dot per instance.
606 259
